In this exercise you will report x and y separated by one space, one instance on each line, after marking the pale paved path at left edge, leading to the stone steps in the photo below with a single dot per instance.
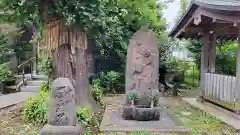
15 98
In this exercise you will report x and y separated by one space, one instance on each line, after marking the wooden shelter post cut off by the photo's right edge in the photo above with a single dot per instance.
237 85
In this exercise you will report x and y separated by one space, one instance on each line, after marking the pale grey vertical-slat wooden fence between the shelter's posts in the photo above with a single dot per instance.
220 89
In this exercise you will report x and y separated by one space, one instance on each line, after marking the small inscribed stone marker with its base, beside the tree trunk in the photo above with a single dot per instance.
62 114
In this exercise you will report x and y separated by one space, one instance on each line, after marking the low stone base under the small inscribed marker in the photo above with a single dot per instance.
62 130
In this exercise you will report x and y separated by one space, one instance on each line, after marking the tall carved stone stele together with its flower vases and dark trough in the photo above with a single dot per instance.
142 77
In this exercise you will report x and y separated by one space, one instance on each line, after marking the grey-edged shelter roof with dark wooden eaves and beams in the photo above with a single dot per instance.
220 17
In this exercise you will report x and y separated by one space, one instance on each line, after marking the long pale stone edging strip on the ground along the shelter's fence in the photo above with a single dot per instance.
220 113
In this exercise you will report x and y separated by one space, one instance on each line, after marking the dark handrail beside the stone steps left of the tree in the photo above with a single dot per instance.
22 66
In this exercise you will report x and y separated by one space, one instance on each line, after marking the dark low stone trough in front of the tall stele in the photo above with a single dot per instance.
140 113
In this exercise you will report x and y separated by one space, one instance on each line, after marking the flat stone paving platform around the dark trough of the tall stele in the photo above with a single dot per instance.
113 122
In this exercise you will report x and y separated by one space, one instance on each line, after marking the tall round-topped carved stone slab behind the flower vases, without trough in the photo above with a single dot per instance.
142 65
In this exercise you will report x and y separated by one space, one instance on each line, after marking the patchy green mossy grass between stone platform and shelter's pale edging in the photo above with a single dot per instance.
199 121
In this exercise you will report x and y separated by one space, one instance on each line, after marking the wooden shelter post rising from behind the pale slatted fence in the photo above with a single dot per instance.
212 53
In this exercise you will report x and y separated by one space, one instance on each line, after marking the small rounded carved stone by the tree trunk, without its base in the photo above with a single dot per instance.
62 109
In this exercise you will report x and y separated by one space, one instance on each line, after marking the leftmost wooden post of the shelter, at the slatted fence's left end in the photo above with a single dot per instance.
204 63
